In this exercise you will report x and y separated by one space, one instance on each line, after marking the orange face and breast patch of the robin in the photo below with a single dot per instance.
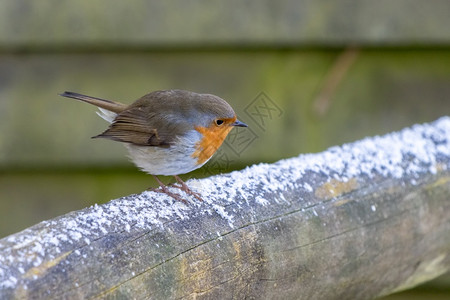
213 137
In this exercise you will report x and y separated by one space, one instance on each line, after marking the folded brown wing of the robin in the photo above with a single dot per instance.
136 126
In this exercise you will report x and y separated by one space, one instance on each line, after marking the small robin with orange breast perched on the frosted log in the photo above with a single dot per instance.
168 132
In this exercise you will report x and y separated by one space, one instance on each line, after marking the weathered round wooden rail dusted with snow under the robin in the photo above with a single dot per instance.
353 222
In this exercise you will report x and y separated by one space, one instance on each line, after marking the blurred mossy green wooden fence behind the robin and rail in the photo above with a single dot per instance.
285 52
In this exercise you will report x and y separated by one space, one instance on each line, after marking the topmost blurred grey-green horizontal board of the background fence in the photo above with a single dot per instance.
34 24
